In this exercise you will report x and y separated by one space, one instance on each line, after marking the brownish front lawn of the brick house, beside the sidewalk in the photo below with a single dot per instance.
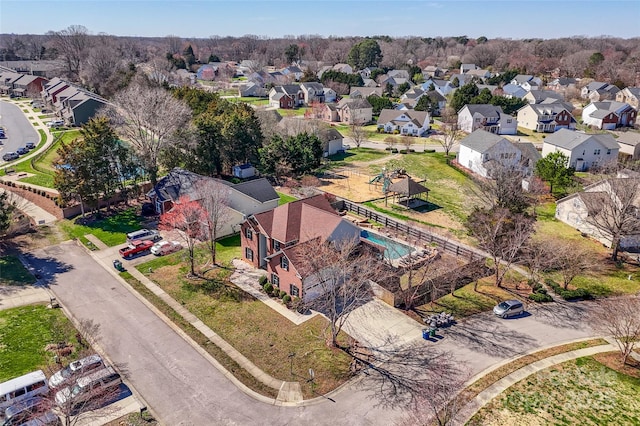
250 326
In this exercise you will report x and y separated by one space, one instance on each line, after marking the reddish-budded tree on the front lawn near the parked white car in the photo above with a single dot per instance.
188 218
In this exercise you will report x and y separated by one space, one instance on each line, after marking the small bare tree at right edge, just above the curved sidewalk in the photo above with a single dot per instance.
619 318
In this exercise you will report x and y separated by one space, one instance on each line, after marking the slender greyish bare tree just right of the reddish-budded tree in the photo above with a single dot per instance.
215 201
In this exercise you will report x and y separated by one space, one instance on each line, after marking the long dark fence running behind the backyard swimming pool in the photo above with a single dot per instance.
422 236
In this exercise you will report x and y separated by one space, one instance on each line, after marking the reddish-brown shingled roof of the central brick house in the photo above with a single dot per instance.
299 220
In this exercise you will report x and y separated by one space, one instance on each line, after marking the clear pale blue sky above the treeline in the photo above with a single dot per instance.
395 18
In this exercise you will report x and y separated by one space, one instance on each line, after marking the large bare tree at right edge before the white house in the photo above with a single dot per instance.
613 209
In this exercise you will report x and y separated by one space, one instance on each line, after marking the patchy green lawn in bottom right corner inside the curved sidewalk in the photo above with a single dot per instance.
578 392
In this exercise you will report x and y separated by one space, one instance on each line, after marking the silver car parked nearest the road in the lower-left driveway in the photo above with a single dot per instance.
88 387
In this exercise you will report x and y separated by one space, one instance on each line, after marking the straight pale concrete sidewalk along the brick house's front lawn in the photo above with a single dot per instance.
289 393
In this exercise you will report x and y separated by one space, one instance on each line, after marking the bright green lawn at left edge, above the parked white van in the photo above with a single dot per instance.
24 333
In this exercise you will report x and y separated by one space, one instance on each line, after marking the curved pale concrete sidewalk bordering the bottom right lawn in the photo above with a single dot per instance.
484 397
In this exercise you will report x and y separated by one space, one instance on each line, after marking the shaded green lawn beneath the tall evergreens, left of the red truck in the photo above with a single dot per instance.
110 230
